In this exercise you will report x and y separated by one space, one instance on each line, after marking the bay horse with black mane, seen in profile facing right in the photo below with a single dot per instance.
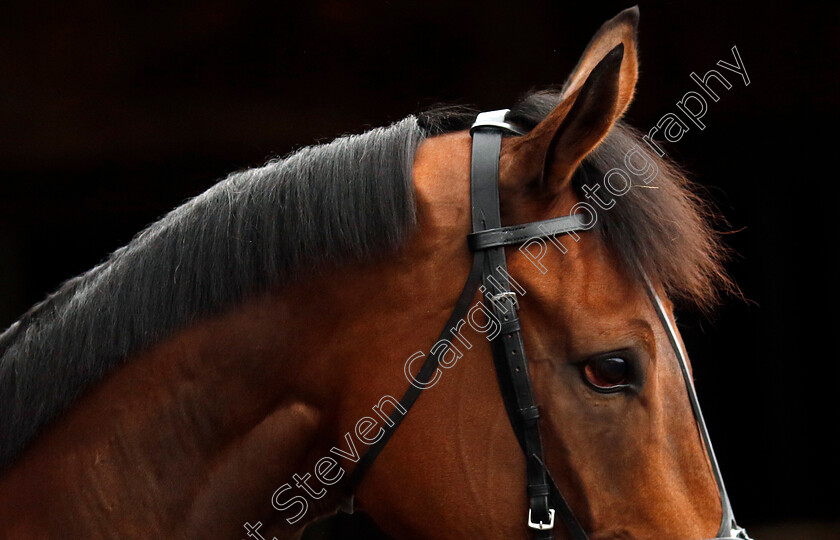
223 374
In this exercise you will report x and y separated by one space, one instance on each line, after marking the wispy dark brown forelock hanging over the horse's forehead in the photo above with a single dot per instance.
662 225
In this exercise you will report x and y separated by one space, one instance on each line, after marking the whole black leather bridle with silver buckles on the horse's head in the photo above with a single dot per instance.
489 275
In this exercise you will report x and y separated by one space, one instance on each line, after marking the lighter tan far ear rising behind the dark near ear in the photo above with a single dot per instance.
621 29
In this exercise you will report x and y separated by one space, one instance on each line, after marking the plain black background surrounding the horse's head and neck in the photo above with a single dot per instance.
112 113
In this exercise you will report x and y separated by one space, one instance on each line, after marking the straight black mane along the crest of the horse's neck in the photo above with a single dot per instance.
324 204
